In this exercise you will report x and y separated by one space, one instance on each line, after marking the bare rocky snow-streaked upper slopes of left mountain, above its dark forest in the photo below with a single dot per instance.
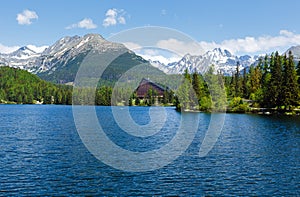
57 55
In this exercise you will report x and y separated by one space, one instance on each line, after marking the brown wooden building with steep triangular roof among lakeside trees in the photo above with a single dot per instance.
146 85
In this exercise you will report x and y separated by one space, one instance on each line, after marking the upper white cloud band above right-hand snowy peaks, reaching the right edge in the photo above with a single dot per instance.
247 45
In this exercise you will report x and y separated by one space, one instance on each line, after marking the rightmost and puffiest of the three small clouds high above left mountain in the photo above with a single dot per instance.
114 17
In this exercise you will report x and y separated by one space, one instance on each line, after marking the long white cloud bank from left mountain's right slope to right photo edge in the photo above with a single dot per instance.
240 46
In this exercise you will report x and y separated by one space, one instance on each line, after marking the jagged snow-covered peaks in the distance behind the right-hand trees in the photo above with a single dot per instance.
222 59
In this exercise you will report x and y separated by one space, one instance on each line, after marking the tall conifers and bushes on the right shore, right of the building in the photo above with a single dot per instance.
274 84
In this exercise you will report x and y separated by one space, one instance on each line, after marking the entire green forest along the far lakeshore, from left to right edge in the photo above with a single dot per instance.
274 83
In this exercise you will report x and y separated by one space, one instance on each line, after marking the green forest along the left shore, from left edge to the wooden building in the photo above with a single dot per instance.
21 87
